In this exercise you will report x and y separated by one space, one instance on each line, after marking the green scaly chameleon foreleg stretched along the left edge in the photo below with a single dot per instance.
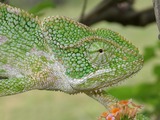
12 86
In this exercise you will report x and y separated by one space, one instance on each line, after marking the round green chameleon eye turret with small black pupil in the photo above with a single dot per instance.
99 53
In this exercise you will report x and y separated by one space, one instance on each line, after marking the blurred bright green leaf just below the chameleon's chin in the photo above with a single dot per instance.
146 93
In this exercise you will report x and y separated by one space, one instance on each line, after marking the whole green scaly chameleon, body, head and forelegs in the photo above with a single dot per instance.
60 54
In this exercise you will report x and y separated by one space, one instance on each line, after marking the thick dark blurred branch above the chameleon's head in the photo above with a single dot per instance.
120 11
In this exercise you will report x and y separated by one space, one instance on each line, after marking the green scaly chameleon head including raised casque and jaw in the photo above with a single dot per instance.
92 59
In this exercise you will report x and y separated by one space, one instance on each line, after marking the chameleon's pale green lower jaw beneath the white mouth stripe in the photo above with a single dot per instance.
96 82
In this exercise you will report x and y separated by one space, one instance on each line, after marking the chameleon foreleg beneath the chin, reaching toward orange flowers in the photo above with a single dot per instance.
103 97
